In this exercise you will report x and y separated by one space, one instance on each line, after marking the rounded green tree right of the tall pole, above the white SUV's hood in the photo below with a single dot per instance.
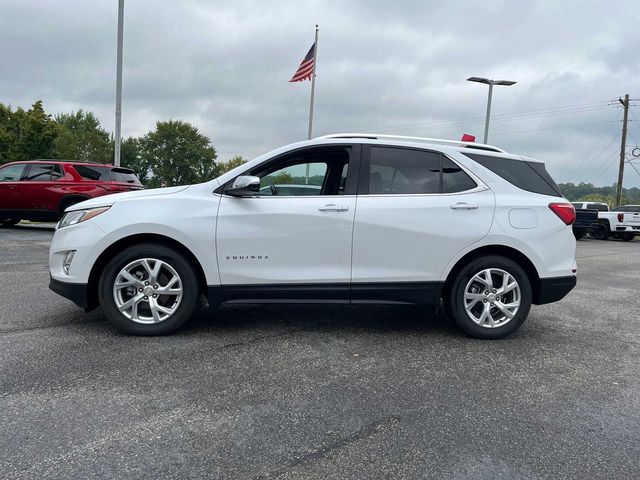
177 154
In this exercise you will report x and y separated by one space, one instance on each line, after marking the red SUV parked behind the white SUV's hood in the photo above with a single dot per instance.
40 190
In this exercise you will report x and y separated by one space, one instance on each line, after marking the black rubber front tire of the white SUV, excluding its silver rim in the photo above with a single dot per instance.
172 257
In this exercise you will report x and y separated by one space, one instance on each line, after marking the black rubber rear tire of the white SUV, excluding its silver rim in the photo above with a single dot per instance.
456 297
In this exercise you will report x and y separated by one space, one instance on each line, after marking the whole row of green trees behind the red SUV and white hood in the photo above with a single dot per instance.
173 153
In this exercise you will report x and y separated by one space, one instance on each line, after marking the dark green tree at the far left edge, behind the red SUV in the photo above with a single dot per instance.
26 135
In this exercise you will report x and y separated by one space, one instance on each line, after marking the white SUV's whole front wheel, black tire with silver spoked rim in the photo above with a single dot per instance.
132 260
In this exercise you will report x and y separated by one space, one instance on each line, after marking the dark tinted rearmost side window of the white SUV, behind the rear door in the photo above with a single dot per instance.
525 174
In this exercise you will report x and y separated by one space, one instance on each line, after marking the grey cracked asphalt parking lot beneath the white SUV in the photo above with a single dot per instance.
320 391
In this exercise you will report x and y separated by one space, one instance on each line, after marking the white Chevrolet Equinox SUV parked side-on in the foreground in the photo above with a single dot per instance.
348 218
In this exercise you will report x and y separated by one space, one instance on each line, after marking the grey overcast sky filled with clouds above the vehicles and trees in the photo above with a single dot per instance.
387 67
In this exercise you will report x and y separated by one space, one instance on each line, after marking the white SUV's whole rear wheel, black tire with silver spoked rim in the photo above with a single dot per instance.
490 297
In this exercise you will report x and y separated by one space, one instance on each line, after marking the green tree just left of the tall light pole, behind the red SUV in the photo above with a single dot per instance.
81 137
